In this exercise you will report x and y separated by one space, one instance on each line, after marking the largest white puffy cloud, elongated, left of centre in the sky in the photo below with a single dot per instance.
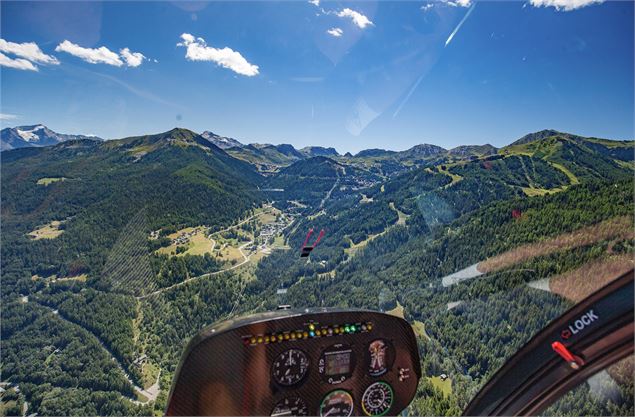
197 50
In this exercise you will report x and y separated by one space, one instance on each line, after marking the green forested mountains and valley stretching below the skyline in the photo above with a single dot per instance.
115 252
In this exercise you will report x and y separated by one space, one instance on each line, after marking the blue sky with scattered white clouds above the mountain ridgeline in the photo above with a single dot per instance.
352 75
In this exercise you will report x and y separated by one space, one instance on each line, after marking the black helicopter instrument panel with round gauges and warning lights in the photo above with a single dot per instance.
324 362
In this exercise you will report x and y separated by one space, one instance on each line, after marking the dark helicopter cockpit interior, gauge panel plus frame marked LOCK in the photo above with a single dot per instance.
334 362
